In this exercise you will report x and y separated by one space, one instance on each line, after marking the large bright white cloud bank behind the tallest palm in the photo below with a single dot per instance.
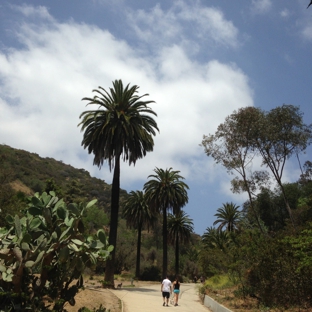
42 86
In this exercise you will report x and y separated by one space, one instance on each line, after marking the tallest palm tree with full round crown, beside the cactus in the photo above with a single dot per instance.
120 127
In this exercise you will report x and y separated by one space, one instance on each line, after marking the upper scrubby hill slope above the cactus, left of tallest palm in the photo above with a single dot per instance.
23 173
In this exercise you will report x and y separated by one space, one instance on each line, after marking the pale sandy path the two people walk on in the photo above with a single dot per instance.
148 298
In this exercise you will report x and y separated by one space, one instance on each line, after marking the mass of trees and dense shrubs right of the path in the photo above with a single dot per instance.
265 248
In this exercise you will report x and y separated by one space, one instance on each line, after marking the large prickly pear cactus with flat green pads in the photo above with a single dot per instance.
44 253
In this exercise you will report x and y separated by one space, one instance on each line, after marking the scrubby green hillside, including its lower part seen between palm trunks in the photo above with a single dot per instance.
23 173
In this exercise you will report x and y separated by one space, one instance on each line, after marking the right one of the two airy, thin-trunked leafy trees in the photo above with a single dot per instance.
278 135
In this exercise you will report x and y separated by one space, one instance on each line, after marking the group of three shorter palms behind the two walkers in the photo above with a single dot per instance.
163 192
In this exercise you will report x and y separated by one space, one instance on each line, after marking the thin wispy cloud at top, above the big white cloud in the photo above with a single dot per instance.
189 25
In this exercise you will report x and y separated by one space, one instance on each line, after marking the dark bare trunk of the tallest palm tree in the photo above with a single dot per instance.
112 240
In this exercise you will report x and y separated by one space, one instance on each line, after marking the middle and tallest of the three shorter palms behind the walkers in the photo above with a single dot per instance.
166 191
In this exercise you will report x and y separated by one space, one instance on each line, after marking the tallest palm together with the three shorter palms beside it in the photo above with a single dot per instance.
122 128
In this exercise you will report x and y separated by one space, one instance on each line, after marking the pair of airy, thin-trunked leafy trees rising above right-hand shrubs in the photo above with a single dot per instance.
275 136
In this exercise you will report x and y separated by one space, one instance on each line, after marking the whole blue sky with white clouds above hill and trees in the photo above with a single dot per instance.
198 60
